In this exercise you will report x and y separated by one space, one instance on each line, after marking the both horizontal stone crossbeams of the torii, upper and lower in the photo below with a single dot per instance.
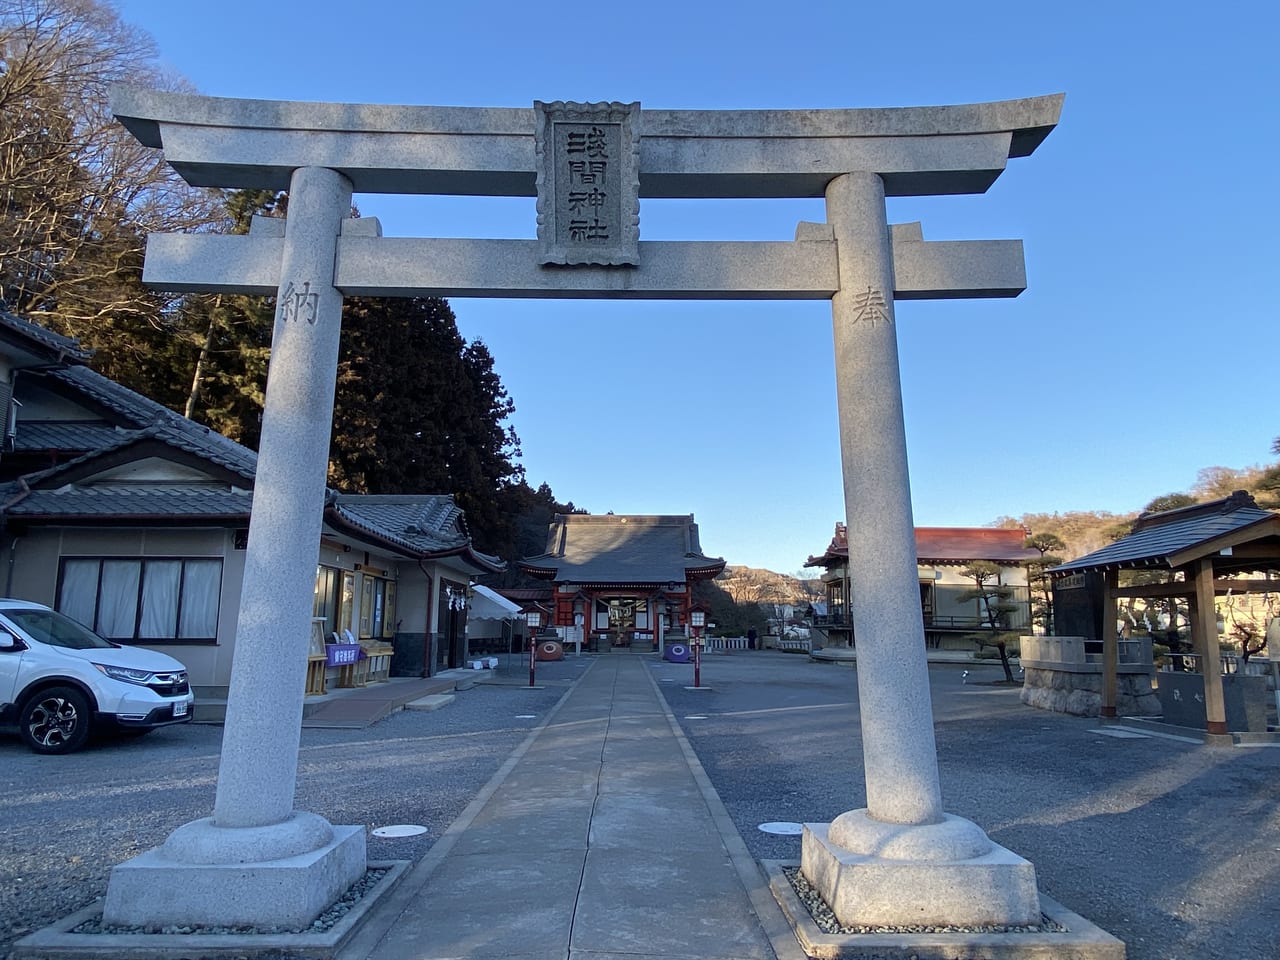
483 152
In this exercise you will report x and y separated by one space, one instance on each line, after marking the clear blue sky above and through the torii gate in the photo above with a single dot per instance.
1142 350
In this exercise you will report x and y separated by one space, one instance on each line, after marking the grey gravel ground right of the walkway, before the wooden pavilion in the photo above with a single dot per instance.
1171 847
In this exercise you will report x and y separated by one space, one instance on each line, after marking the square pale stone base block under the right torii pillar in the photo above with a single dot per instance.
996 888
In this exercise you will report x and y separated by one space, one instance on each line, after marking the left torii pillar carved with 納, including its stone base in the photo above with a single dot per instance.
259 862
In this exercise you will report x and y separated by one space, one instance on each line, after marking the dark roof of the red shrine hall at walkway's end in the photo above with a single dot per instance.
624 550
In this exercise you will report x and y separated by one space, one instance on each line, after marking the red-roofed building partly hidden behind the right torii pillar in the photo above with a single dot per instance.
941 554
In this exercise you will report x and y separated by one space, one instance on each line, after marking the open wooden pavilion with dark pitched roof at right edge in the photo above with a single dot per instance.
1205 551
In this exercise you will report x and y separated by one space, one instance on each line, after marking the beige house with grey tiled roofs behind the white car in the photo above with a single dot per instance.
135 520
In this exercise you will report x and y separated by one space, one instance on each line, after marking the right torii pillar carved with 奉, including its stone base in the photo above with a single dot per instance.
902 861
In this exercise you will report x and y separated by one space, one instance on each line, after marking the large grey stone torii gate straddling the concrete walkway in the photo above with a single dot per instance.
899 861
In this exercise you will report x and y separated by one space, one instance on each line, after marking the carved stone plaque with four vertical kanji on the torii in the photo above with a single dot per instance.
588 184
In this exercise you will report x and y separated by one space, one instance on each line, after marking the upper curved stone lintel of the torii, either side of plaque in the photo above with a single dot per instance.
491 152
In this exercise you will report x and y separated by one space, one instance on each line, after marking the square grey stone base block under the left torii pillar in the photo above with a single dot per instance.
290 893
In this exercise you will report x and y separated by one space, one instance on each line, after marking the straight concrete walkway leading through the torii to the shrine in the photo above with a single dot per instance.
600 838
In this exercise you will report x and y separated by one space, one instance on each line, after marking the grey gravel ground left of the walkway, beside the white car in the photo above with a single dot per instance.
68 820
